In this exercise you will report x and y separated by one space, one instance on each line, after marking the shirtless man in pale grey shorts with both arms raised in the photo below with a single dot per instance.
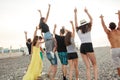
114 38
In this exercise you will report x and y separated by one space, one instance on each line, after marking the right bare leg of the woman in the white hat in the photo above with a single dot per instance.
93 60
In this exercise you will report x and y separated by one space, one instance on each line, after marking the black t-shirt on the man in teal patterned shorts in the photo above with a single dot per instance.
61 47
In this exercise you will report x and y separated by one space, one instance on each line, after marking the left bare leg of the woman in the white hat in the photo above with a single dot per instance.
87 63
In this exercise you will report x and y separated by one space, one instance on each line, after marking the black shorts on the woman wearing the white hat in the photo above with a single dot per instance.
86 47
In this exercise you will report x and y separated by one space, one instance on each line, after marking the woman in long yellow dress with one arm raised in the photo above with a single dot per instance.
35 67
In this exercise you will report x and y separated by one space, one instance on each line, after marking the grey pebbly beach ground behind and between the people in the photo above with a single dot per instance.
14 67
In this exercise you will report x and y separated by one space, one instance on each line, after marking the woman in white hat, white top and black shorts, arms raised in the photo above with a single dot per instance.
86 49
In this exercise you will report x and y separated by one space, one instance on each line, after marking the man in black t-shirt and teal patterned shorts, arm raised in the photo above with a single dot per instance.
61 49
